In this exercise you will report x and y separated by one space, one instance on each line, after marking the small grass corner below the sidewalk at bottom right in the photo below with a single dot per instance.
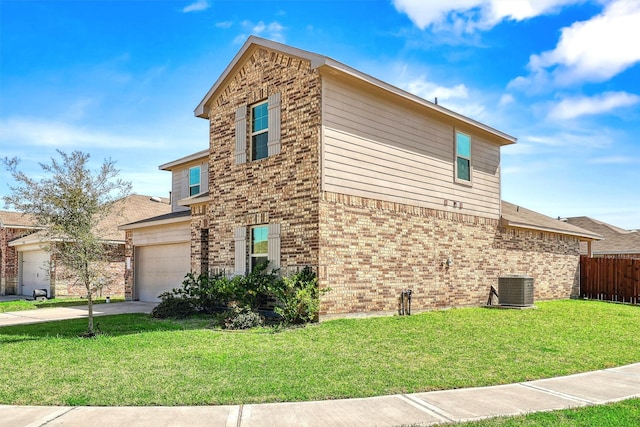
619 414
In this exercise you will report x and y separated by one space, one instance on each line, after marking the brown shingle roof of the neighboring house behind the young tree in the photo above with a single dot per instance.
131 208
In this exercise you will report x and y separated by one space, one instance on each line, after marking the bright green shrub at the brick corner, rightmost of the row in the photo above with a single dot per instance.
298 297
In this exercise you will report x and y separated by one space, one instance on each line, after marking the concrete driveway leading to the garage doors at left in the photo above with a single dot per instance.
75 312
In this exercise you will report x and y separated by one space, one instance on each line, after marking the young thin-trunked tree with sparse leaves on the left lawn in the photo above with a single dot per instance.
70 203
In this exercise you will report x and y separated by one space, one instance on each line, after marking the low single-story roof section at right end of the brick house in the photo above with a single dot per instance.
519 217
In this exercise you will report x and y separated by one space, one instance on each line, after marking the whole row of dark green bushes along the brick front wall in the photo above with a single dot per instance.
238 299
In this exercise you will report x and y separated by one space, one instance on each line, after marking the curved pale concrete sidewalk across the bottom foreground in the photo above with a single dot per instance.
430 408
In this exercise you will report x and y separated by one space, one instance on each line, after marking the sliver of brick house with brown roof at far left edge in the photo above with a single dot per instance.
13 225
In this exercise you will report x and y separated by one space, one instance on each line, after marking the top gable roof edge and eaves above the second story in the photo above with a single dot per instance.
321 63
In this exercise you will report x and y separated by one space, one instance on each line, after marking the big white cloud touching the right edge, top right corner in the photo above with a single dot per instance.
589 51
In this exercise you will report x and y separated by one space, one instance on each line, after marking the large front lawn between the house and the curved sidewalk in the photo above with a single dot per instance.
142 361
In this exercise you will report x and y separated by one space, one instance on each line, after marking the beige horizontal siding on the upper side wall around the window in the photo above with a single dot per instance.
375 147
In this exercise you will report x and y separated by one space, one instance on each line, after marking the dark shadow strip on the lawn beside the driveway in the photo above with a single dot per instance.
114 325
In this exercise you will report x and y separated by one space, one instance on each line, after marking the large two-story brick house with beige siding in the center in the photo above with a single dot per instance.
312 162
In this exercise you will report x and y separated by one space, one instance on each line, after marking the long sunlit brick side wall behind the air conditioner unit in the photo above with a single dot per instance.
372 250
